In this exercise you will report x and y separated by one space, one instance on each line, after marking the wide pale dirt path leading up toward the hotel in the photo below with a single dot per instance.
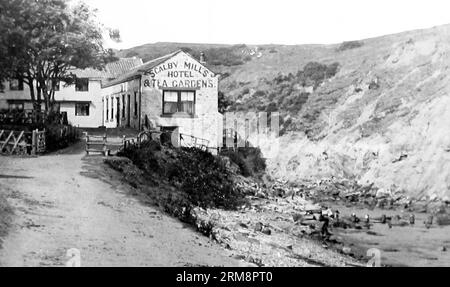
65 201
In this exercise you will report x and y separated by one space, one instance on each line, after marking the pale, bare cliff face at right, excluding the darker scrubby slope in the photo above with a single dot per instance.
384 118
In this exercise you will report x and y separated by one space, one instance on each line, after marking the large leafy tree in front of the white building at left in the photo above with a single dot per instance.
43 41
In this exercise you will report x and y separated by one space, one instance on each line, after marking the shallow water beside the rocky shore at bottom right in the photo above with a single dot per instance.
411 245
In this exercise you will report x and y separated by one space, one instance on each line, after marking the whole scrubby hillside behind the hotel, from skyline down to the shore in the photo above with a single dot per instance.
382 117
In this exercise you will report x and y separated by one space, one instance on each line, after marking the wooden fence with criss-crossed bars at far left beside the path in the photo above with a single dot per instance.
21 142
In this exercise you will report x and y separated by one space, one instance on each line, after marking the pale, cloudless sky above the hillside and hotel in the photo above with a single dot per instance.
265 21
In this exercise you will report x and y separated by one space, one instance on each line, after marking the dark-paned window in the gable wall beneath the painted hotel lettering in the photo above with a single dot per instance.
178 102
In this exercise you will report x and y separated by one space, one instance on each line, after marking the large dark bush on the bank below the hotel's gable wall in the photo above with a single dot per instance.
202 177
